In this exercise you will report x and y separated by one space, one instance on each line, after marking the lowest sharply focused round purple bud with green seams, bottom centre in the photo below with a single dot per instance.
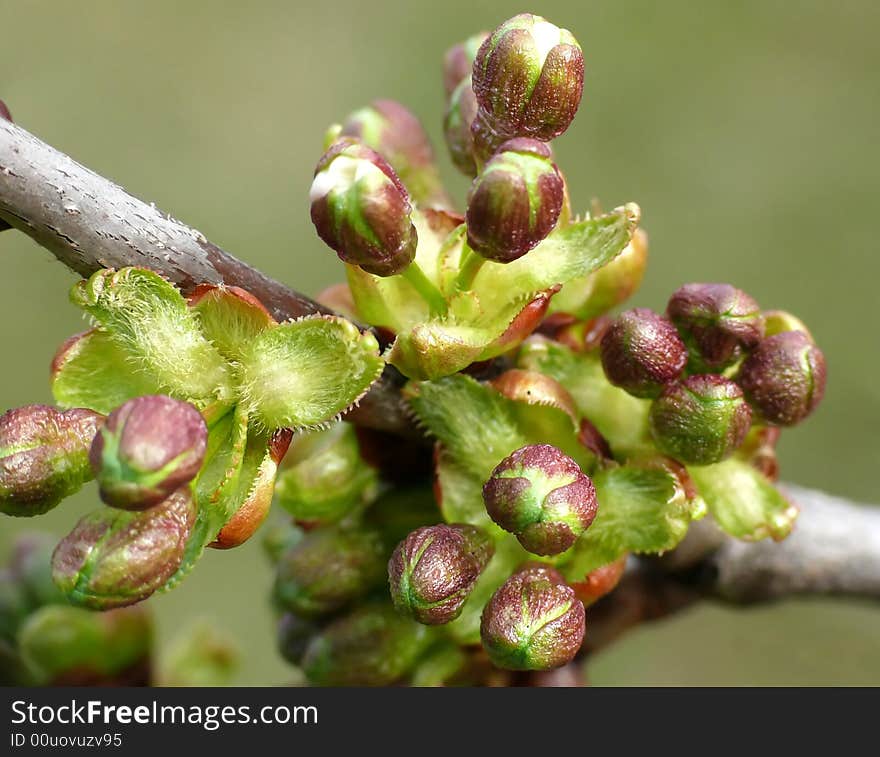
533 621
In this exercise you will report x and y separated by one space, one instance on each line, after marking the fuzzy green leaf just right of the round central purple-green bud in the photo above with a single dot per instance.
641 510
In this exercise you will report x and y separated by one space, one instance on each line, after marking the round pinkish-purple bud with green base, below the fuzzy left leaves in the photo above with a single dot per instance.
148 448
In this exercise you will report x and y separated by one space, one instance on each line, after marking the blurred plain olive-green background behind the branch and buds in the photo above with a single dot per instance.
747 132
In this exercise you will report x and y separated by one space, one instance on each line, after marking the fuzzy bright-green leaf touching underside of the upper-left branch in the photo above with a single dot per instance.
151 321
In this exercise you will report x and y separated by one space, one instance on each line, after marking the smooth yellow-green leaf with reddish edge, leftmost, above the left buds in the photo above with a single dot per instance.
94 371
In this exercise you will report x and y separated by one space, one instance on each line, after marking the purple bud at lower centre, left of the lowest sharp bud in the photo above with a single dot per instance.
433 571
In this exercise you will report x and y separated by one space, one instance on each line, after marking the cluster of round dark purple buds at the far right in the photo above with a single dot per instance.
712 366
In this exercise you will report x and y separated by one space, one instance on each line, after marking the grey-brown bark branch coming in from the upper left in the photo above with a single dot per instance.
89 223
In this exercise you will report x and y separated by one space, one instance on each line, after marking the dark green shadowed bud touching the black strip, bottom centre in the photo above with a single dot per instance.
374 646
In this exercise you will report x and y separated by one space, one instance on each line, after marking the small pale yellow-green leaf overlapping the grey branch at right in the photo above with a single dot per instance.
743 501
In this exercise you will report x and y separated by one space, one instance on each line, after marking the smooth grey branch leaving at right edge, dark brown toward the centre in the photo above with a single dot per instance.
834 550
